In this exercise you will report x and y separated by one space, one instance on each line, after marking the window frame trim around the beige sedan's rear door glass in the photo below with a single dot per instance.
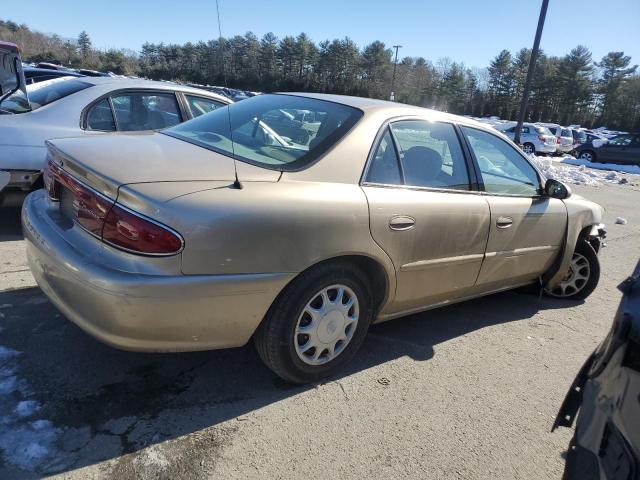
473 182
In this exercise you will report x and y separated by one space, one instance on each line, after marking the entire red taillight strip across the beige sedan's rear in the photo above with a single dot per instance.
109 221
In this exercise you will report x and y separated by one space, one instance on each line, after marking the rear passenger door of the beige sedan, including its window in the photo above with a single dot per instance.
424 213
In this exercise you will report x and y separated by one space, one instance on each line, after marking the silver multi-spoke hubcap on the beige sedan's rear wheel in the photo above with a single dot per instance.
326 325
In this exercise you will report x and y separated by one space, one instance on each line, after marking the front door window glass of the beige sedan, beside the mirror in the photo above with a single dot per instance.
503 170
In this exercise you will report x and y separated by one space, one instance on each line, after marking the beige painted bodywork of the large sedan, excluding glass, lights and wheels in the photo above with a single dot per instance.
242 246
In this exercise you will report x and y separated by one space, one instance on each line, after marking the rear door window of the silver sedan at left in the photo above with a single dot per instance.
138 111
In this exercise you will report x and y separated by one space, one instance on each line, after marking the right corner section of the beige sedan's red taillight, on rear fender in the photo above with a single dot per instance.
128 230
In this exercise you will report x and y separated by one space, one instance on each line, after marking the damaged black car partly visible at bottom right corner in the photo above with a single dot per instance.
606 392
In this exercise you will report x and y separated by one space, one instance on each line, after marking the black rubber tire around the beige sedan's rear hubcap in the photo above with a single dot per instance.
274 339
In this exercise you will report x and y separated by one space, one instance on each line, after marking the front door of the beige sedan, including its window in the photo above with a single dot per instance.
526 229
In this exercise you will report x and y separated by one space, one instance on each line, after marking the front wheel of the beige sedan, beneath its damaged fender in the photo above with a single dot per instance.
582 277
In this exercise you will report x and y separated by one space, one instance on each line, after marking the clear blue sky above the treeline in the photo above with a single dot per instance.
472 31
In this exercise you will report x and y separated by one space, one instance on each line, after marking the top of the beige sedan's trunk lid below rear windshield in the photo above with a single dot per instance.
107 162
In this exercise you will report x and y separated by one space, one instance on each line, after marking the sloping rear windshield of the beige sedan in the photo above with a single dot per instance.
281 132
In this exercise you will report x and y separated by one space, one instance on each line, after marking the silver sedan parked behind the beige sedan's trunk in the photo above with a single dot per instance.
86 106
